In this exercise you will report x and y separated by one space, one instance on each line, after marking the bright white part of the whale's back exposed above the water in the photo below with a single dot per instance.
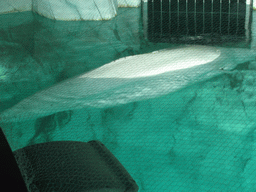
156 63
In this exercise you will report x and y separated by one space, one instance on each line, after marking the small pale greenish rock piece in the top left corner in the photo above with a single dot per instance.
7 6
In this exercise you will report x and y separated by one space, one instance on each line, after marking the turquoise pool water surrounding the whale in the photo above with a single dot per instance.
201 138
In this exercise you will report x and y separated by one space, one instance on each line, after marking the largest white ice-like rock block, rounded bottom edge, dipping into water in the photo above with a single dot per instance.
76 9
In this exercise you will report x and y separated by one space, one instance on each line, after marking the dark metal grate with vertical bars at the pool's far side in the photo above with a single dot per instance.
204 21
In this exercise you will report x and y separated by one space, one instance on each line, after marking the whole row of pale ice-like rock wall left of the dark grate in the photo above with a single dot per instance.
69 9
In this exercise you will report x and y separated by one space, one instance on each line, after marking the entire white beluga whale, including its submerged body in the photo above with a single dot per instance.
131 79
